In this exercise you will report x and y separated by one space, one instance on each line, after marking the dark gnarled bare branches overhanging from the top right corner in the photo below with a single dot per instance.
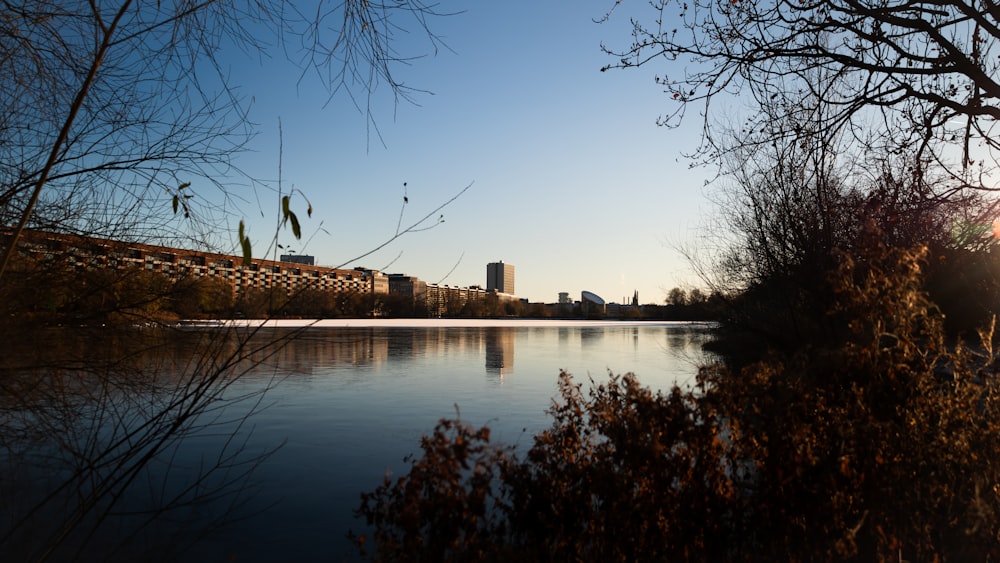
919 77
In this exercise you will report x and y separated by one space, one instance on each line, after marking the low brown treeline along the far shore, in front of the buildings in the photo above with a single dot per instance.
55 290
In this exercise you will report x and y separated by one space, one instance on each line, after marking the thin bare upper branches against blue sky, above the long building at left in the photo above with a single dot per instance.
107 108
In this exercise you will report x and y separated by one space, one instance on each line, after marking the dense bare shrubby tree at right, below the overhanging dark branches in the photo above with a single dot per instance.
791 208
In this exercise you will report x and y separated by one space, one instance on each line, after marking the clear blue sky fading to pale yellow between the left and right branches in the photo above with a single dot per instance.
572 180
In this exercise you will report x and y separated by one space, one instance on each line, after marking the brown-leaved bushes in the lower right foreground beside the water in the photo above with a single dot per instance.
881 445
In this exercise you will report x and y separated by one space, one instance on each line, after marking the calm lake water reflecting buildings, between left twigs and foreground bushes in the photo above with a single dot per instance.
346 404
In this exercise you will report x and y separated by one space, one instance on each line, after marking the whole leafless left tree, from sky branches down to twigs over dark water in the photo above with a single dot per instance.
107 111
